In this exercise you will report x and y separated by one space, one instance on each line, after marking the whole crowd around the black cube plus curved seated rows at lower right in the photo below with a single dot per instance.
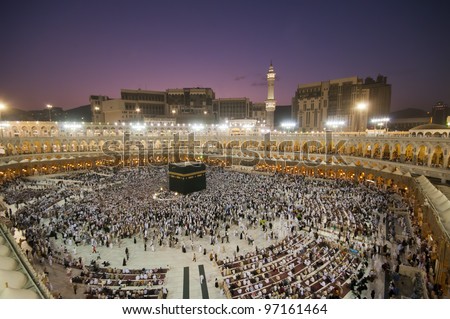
308 224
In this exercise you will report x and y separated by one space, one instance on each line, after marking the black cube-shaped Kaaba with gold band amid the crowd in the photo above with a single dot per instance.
187 177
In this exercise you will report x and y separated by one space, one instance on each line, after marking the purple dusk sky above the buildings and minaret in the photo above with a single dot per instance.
60 52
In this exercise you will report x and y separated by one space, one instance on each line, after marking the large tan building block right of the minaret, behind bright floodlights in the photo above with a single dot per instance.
346 104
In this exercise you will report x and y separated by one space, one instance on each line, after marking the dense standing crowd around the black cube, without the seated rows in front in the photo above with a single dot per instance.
101 208
